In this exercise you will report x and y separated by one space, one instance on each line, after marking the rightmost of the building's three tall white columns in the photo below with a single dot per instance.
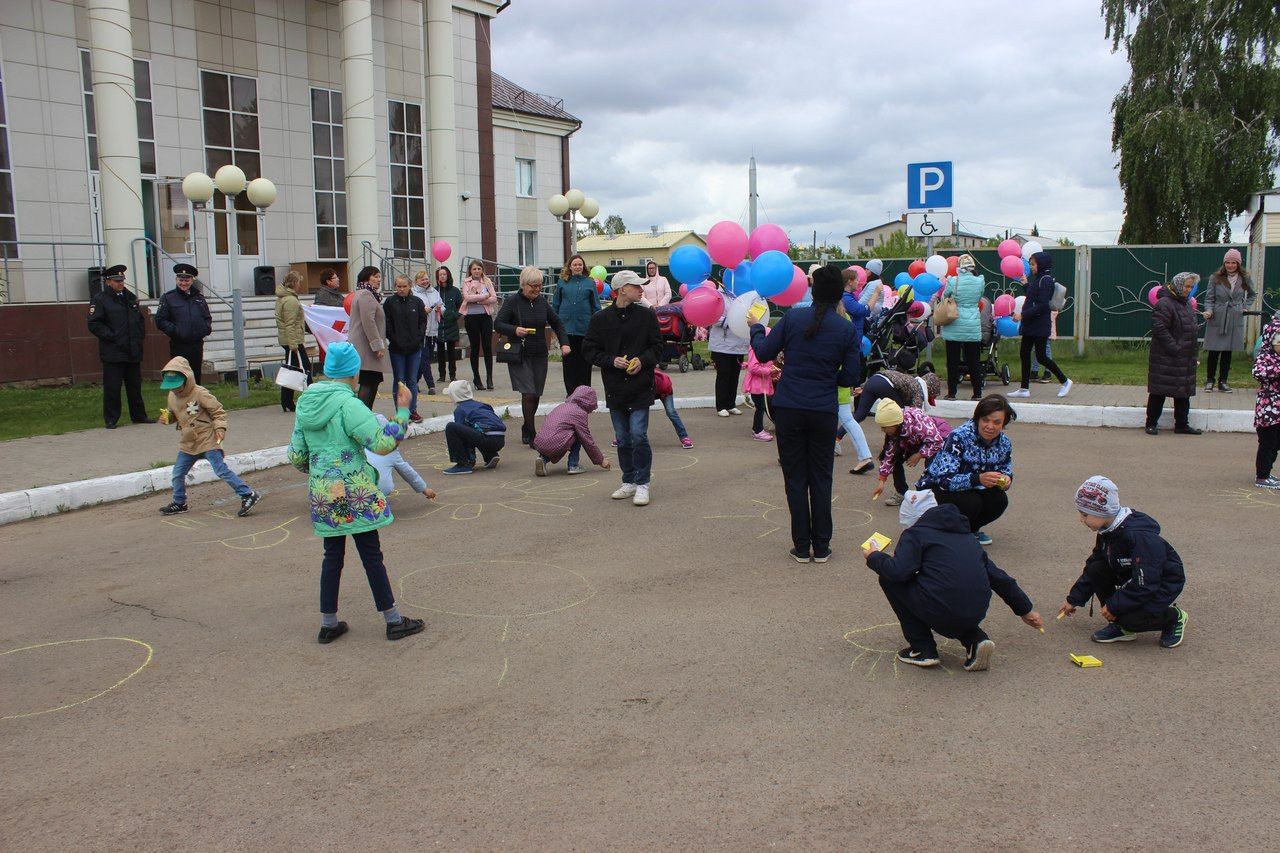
442 156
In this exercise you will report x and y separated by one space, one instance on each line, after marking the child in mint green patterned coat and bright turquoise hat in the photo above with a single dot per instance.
331 434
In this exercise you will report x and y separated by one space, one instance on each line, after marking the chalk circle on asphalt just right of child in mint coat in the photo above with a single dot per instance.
496 590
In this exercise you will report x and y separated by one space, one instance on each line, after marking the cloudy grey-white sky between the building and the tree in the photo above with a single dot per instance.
835 99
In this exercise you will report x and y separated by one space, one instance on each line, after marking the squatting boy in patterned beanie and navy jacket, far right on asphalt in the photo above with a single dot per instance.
1133 572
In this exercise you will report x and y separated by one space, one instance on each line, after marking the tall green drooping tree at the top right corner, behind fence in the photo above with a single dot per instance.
1196 126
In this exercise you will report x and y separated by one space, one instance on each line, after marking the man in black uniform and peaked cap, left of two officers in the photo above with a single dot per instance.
116 321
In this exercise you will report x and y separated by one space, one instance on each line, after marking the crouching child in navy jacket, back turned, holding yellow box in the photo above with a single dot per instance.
940 580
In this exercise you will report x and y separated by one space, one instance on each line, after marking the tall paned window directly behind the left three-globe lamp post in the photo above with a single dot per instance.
230 117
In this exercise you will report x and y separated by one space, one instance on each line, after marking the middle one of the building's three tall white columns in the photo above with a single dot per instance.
358 127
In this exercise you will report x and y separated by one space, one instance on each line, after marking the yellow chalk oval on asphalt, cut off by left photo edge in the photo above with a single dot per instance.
47 677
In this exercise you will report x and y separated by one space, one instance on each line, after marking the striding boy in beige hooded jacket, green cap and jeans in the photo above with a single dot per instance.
202 421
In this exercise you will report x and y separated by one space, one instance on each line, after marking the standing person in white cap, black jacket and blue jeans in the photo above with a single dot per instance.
625 344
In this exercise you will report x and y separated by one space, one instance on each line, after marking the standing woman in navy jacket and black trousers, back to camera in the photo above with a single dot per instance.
821 353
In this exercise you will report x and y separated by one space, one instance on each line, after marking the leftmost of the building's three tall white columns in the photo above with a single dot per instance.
116 110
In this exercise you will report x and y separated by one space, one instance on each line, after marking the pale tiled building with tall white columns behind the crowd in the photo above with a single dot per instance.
423 143
